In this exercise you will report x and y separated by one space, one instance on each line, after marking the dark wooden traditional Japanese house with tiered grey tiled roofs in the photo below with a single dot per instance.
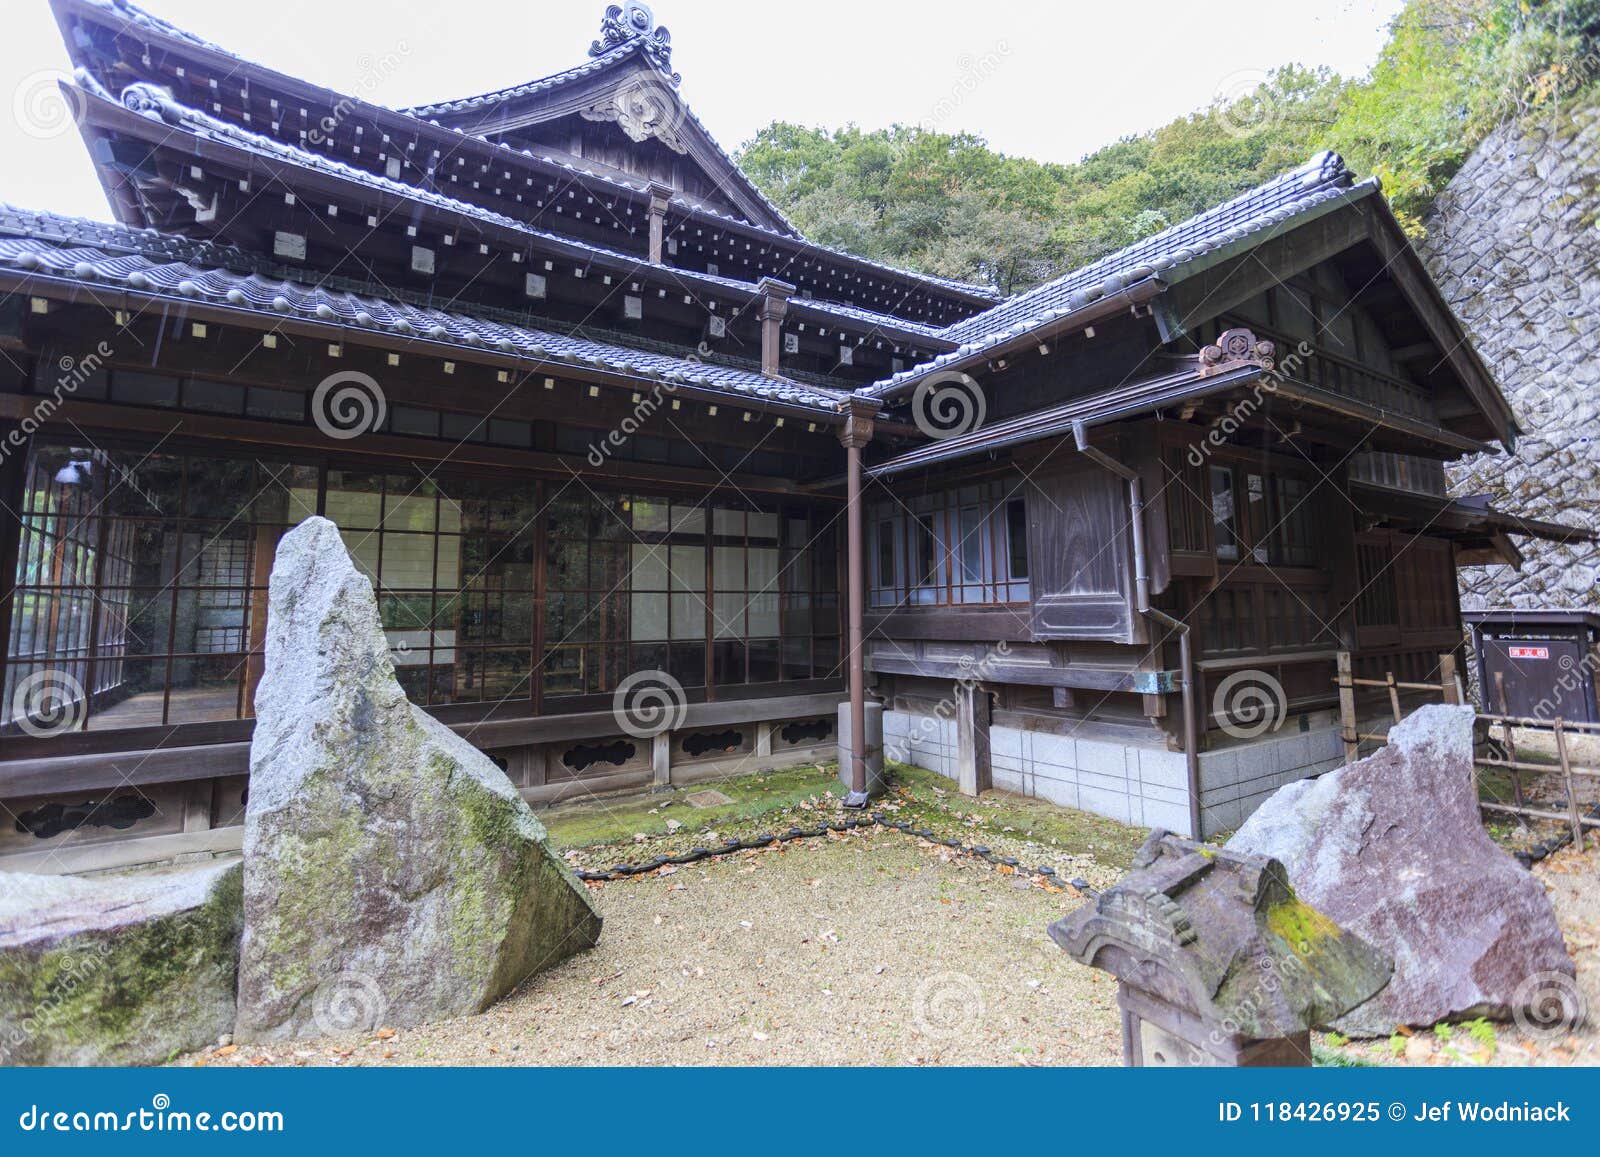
586 407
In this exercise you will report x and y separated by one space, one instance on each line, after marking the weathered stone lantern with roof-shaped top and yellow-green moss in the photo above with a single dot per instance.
1217 961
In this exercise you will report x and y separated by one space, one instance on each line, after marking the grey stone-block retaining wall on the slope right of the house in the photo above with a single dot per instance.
1514 246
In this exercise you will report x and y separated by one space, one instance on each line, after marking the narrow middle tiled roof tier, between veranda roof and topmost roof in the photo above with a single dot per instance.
159 105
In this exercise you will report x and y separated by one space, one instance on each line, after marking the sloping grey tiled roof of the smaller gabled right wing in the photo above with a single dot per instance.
1186 249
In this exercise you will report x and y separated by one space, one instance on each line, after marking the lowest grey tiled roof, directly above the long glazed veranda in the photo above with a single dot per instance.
145 262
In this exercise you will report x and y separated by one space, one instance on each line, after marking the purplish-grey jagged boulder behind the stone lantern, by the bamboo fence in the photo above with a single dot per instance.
1393 849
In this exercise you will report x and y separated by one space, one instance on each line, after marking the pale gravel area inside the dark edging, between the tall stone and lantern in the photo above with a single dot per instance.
865 950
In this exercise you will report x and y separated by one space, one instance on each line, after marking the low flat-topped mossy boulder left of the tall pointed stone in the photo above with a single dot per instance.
124 971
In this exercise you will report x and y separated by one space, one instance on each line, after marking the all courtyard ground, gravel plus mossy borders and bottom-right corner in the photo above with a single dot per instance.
863 948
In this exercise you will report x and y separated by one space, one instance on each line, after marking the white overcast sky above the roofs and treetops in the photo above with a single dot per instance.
1047 81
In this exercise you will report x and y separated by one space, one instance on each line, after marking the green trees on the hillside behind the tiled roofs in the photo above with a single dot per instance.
950 206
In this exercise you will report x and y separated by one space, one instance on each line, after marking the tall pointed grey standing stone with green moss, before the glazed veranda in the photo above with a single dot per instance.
393 873
